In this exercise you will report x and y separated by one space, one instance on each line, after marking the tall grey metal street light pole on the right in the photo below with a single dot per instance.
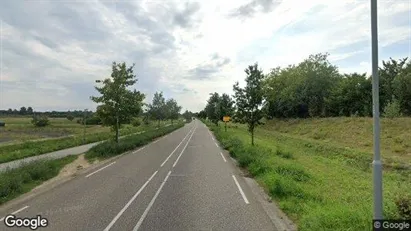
377 165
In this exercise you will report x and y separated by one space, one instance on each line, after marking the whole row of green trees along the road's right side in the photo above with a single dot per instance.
313 88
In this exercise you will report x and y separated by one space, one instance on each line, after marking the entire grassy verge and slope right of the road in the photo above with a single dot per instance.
319 170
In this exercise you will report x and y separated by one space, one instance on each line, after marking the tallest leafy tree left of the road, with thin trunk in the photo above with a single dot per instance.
118 104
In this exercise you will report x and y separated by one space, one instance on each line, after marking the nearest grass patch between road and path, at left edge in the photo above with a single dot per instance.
20 180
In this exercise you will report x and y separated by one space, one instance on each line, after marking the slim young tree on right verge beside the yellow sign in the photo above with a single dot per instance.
250 99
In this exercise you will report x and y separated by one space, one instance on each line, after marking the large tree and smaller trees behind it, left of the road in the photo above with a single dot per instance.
118 104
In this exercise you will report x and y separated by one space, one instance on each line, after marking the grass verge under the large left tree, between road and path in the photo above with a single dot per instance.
110 148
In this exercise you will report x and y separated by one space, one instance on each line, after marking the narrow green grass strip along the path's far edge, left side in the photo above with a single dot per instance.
33 148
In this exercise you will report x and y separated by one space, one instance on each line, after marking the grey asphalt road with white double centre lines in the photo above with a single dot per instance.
180 182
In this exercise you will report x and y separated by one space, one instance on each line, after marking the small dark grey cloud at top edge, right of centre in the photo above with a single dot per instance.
250 9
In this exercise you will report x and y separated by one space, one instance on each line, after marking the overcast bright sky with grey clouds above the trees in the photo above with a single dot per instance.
53 51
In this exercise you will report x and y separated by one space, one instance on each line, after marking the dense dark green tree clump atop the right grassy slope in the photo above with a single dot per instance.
314 88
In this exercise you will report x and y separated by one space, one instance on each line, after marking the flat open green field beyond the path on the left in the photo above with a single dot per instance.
30 145
